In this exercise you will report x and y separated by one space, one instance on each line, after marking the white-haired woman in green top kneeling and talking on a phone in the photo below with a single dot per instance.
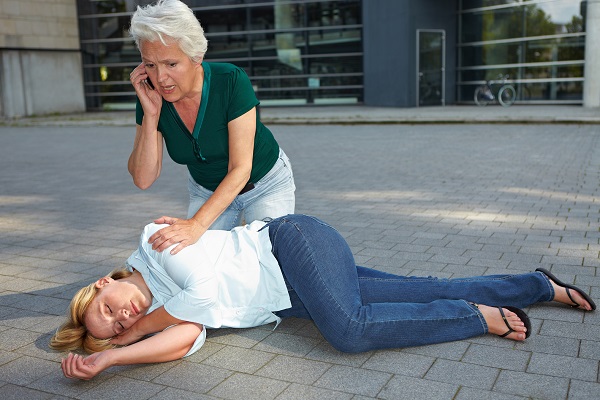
206 114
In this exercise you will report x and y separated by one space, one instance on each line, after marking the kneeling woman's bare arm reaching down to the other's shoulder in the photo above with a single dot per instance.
241 150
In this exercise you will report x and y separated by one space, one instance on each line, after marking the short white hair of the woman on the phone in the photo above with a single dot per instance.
169 21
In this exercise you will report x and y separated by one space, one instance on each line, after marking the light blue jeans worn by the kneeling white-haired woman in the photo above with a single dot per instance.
272 196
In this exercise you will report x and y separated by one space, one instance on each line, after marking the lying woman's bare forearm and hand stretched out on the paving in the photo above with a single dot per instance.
168 345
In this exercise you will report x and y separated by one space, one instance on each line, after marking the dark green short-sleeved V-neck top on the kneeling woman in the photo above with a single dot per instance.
226 94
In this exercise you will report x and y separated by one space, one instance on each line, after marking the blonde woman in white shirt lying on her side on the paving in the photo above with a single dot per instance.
293 266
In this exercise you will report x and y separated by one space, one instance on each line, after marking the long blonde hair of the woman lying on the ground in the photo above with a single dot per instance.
73 334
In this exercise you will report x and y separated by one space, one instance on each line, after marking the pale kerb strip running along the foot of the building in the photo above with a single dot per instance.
360 115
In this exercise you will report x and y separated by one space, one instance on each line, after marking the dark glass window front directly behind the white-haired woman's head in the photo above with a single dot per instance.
305 51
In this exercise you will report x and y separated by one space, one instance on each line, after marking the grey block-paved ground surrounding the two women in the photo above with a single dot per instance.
424 195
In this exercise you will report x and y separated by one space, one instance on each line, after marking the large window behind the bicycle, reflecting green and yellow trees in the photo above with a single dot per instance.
541 45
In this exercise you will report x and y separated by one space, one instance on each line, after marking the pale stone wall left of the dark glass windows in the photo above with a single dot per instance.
40 61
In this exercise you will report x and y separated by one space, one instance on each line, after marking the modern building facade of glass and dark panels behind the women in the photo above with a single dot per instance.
396 53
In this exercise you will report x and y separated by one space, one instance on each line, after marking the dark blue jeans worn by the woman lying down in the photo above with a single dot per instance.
360 309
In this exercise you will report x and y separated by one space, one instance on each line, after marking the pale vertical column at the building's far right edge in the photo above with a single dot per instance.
591 85
